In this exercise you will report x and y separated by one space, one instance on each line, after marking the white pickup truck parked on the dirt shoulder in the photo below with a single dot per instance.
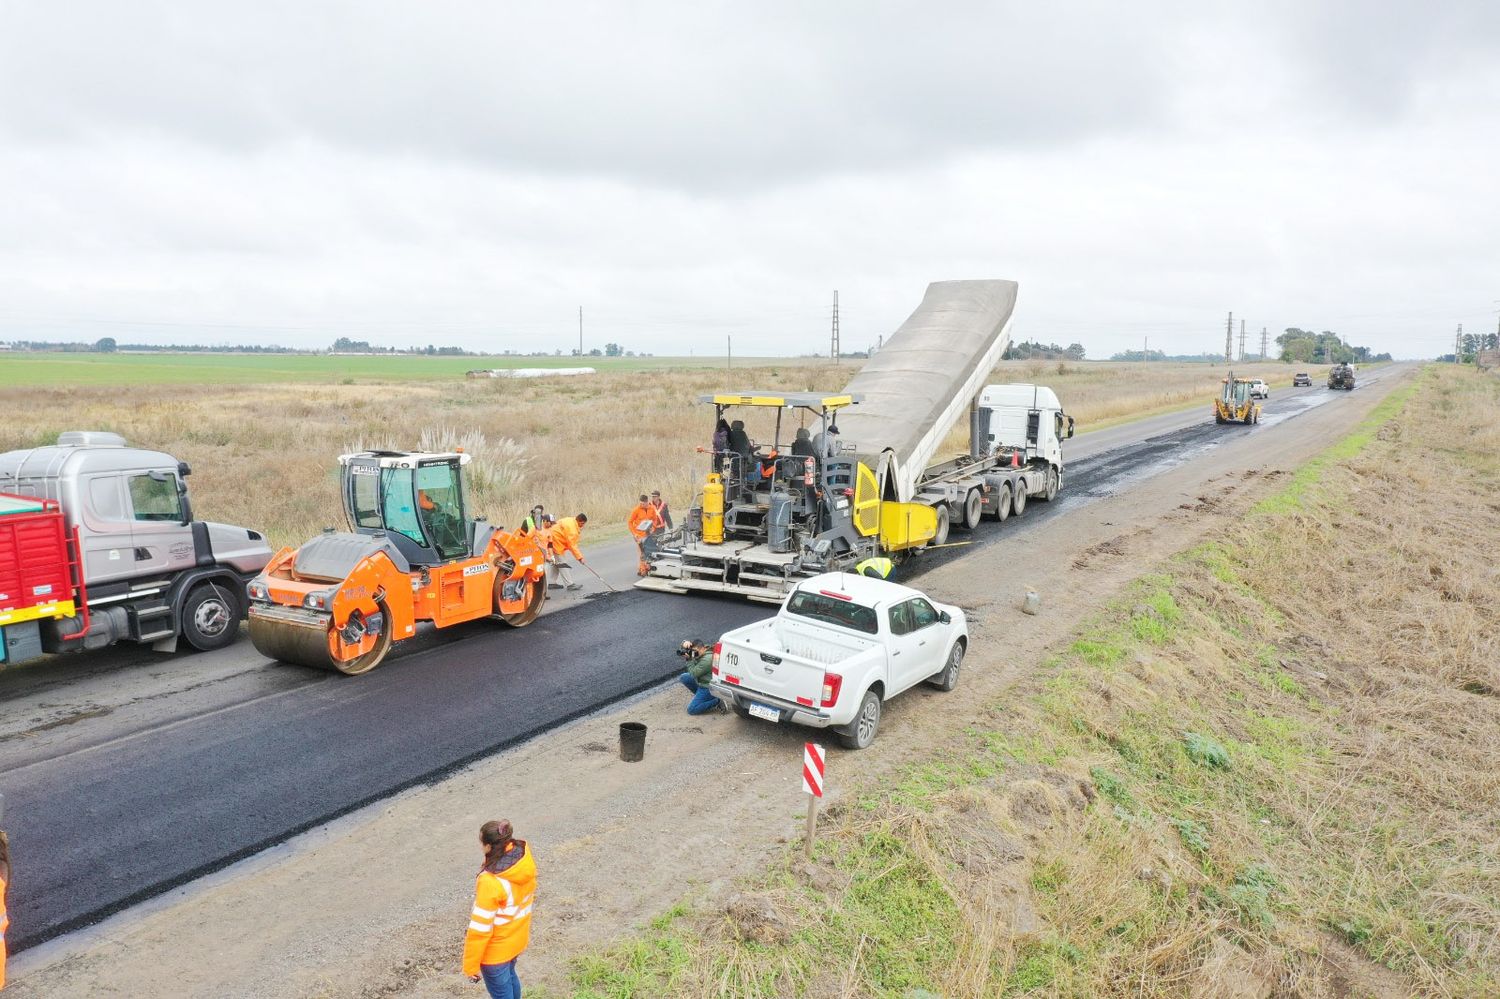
841 647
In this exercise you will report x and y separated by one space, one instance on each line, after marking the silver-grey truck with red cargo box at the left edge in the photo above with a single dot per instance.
98 545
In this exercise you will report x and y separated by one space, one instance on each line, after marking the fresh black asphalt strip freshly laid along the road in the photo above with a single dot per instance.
109 826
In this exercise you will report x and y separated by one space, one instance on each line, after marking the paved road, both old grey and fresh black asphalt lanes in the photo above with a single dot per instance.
173 781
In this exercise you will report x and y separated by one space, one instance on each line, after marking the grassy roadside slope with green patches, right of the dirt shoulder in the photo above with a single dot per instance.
1270 770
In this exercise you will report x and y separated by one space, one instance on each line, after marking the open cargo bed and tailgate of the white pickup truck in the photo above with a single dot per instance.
785 659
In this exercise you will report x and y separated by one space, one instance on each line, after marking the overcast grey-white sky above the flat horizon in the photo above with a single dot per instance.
473 173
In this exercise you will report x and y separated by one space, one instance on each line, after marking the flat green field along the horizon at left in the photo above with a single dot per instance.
220 370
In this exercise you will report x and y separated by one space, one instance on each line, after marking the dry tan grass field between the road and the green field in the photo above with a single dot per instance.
265 455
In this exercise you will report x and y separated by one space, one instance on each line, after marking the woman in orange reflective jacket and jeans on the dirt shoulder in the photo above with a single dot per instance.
500 923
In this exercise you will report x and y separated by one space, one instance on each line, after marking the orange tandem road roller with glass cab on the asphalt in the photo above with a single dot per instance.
341 601
